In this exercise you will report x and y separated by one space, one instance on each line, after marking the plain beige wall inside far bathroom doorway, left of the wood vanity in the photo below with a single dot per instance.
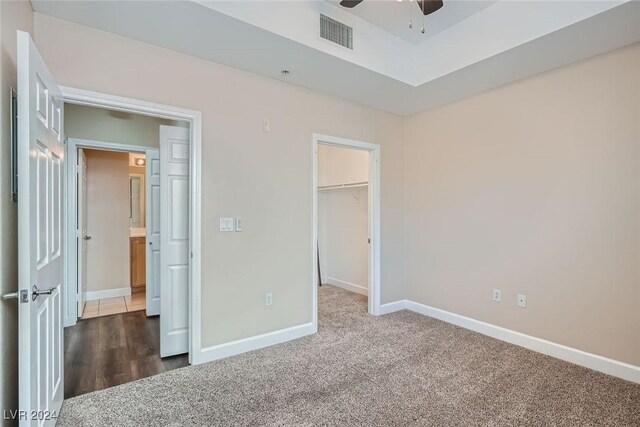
108 262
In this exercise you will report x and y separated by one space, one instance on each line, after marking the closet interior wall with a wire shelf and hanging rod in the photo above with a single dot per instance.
343 217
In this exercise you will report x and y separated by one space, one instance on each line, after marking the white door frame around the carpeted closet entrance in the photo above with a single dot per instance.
374 217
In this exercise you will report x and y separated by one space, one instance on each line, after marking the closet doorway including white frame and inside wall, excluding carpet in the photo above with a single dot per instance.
346 218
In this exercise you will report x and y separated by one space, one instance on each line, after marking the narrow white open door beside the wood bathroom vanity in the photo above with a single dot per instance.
152 222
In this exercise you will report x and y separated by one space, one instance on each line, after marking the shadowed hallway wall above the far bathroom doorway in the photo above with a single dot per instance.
98 124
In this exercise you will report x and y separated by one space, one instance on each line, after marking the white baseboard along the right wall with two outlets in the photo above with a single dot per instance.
593 361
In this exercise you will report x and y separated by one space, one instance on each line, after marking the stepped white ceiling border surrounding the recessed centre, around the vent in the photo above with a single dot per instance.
499 44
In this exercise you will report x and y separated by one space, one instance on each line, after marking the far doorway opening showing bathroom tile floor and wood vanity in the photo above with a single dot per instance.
111 214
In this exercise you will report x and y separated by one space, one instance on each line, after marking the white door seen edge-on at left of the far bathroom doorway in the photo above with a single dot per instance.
81 232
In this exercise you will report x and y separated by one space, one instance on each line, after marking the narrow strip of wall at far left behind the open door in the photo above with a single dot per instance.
14 15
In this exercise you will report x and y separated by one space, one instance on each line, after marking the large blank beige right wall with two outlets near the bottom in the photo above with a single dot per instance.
534 188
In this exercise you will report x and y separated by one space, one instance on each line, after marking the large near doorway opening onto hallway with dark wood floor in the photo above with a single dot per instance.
129 202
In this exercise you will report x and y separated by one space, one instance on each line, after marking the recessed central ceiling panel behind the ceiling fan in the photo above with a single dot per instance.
394 16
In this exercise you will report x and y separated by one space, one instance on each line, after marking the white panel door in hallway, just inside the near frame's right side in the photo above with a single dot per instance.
174 240
